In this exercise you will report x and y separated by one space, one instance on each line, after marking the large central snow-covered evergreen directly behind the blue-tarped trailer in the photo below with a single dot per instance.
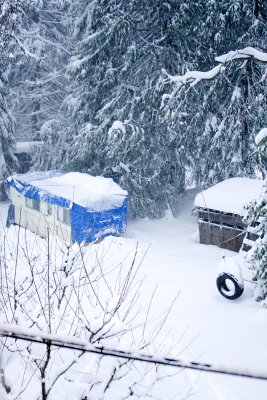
117 101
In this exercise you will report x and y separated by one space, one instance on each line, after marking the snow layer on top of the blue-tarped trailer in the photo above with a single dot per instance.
93 192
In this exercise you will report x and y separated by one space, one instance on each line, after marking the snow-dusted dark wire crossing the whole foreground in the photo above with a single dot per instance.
13 331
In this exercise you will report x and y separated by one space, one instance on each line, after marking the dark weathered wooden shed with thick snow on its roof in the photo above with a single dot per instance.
220 211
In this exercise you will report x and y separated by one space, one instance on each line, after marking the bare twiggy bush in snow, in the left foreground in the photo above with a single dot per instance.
87 292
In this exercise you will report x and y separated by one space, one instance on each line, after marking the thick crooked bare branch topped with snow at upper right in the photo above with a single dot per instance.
193 77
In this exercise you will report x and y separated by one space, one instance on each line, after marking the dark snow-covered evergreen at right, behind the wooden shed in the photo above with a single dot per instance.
219 117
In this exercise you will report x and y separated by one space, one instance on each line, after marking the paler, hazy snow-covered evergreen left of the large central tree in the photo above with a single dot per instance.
39 84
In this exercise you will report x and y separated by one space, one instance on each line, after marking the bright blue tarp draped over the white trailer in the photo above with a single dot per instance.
86 225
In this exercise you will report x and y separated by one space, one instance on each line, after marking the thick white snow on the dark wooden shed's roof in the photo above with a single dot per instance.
230 195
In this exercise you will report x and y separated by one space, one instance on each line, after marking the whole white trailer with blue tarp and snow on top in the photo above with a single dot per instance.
77 207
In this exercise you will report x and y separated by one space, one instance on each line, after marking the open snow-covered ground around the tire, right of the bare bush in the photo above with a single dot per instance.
203 325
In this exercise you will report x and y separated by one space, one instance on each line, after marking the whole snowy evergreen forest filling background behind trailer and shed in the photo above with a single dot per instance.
91 80
